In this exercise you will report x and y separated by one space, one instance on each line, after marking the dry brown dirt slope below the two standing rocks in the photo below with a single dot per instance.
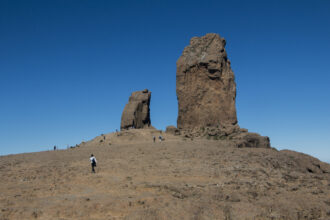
174 179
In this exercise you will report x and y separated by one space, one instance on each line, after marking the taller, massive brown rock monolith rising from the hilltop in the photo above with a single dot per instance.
205 84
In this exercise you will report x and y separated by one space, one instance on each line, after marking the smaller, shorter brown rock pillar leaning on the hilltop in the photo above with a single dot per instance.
136 113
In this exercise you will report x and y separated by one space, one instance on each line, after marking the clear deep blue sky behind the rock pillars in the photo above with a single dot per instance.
67 68
